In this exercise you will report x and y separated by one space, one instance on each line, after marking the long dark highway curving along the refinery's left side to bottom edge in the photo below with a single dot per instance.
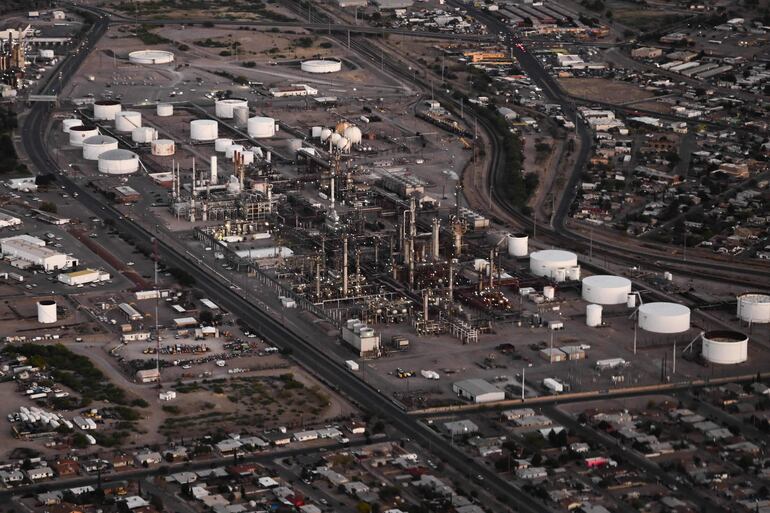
305 352
